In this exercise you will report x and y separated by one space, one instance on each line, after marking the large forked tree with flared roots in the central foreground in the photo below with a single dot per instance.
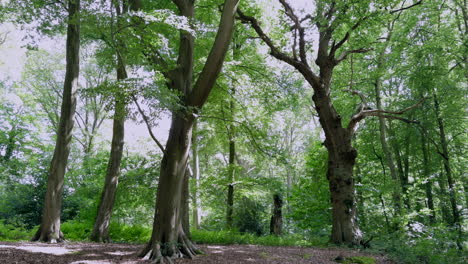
168 239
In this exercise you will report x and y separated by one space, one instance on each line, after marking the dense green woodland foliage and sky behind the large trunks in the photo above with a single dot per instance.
258 155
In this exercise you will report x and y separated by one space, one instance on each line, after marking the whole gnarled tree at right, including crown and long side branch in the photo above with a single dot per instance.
331 20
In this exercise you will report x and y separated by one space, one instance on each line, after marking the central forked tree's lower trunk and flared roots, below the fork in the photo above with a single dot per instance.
168 239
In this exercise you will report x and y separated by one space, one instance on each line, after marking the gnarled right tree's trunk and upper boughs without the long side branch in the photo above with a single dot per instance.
341 154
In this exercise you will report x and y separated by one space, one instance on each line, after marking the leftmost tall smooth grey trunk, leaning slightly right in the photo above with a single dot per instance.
49 230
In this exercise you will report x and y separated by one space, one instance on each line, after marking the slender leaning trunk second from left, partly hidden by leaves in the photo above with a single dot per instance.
100 231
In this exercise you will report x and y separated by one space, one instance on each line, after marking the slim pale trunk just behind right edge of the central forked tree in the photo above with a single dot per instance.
195 179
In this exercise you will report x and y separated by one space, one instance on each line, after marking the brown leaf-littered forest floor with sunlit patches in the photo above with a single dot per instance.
93 253
